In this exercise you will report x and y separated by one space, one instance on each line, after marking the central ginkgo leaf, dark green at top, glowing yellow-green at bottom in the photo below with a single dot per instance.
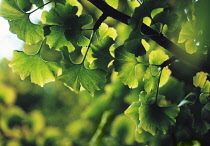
125 64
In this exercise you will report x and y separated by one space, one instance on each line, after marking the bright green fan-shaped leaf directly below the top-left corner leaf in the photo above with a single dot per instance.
27 31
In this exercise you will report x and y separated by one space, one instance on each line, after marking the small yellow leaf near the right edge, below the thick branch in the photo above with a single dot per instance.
200 79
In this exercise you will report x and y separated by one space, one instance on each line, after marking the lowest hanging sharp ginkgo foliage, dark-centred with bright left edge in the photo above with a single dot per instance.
151 117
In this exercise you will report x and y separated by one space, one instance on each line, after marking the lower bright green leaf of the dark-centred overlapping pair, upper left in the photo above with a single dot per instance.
56 39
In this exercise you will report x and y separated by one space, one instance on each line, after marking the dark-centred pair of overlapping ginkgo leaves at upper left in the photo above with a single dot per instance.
65 20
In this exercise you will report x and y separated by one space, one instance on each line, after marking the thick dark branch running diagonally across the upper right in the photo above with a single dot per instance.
179 53
